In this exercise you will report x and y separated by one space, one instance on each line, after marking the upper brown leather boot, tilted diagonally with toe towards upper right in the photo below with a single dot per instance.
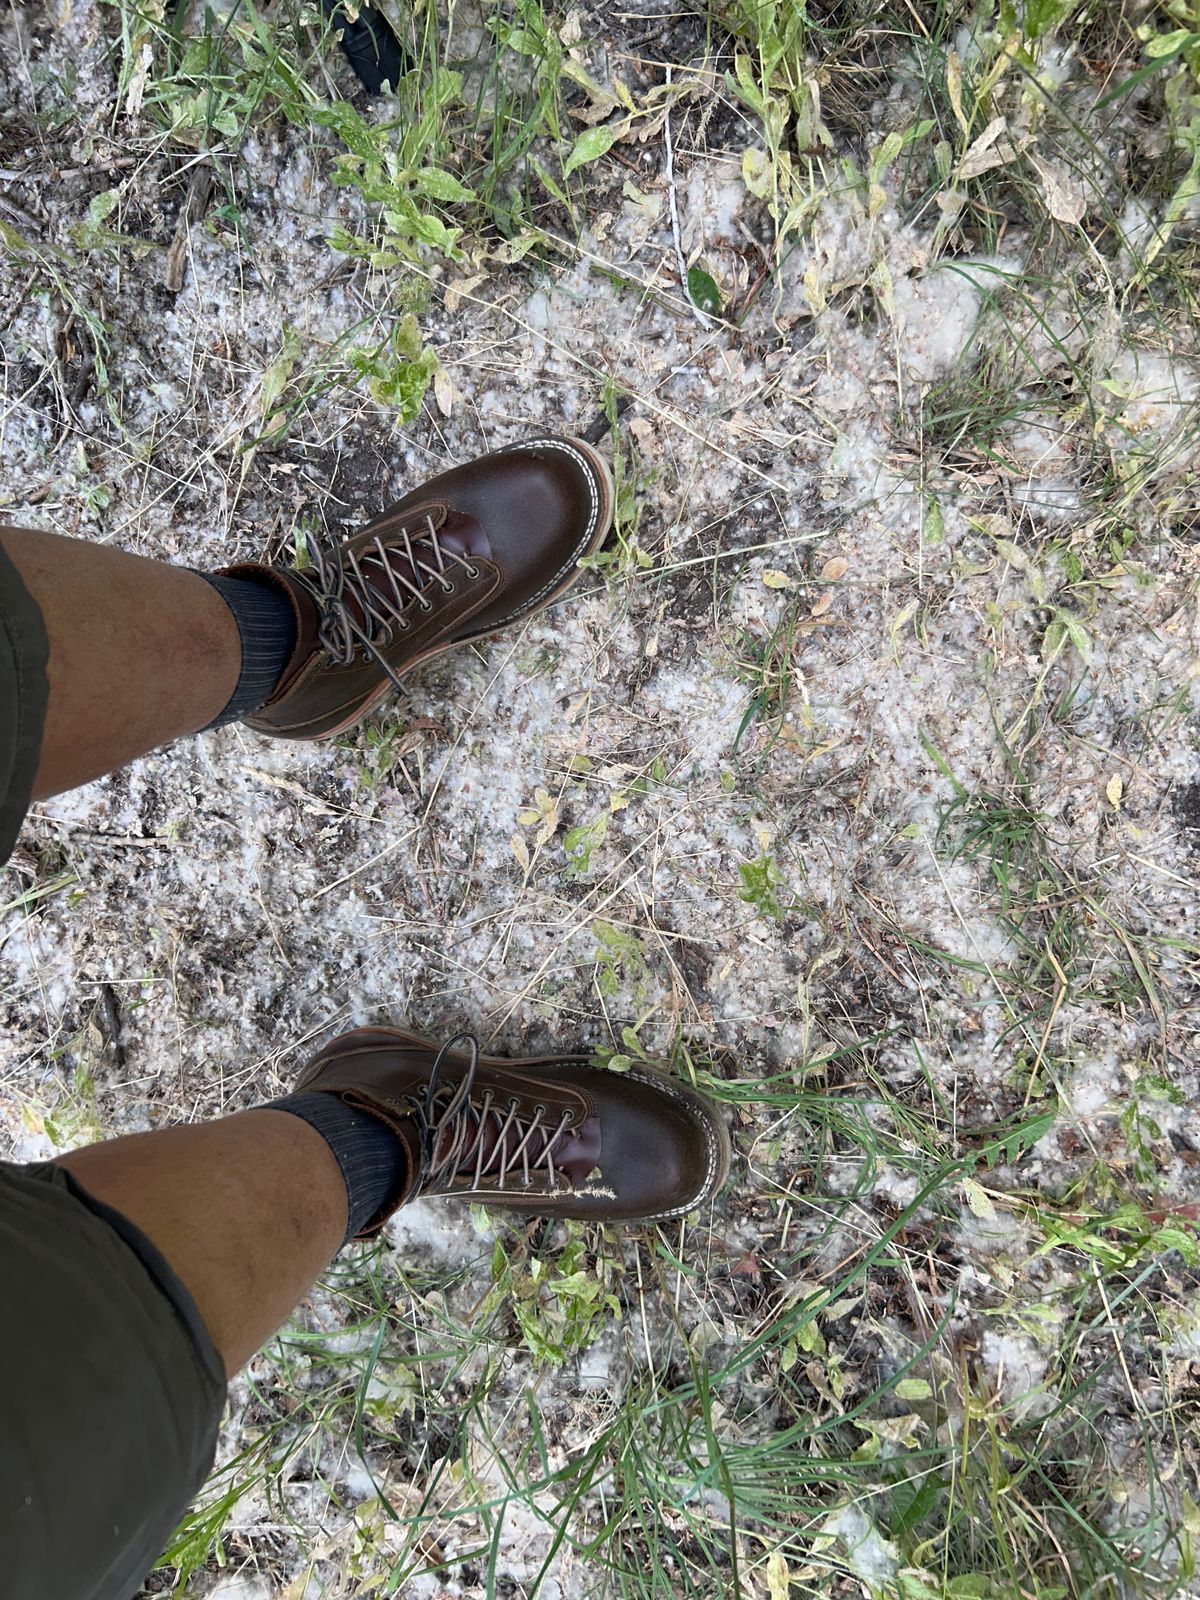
473 551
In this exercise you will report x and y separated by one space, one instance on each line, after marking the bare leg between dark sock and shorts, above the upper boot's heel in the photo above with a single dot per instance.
140 654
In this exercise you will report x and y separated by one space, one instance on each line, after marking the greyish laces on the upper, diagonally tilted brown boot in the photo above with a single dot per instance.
364 610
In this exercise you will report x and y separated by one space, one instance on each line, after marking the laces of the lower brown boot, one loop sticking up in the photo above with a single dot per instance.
449 1116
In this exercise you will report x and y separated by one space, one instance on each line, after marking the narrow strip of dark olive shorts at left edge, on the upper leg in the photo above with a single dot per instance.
23 700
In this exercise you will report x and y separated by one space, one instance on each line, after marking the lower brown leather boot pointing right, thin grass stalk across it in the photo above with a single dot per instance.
546 1137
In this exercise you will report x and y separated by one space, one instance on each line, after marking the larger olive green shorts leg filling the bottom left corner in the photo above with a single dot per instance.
111 1394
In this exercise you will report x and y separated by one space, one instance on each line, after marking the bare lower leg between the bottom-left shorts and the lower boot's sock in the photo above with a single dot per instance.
247 1210
